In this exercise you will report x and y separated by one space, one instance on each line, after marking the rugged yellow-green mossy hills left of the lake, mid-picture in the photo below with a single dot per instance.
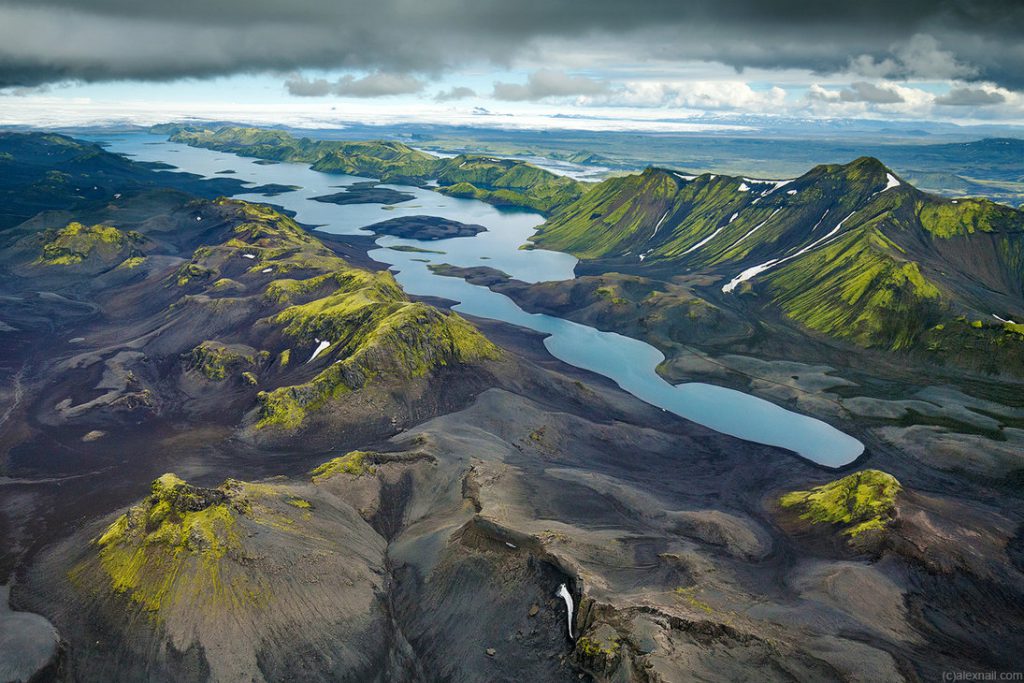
323 328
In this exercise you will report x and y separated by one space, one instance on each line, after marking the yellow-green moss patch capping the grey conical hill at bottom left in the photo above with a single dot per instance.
188 548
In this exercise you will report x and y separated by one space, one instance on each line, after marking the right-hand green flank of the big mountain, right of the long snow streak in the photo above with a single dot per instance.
904 265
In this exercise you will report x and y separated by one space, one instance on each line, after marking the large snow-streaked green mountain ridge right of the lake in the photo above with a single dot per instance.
846 250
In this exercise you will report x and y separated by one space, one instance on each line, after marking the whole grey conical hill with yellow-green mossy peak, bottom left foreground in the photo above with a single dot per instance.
239 582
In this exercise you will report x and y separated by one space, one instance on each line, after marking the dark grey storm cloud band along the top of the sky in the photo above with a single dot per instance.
113 39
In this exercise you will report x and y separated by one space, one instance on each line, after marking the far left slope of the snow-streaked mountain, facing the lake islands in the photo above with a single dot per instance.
709 220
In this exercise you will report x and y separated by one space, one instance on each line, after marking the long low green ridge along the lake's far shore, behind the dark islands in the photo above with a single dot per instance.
499 182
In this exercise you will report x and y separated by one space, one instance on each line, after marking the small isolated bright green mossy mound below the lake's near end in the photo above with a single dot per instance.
860 502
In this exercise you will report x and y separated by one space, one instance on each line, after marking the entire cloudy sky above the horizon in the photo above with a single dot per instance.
631 64
